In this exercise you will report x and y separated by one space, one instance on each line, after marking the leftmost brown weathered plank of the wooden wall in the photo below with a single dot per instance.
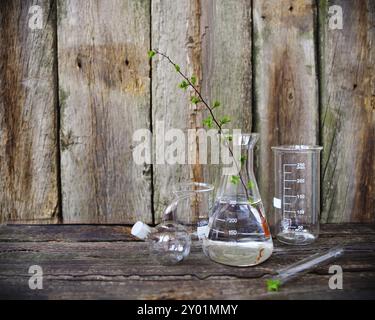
28 114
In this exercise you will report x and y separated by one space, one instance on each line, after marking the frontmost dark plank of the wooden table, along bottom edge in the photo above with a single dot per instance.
358 286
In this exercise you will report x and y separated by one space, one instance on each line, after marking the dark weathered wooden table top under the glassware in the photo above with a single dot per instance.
105 262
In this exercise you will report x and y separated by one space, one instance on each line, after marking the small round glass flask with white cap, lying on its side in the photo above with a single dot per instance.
169 243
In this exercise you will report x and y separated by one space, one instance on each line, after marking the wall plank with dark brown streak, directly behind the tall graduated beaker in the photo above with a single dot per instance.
286 86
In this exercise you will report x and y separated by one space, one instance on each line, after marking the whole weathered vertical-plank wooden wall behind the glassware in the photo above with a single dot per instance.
73 92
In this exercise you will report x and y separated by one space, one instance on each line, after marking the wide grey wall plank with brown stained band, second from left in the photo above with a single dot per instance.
104 94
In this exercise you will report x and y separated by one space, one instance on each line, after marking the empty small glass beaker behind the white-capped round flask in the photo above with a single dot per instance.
195 200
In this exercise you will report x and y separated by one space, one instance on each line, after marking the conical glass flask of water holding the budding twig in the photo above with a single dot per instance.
238 231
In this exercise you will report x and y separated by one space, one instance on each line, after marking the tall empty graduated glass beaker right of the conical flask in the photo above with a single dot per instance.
297 193
